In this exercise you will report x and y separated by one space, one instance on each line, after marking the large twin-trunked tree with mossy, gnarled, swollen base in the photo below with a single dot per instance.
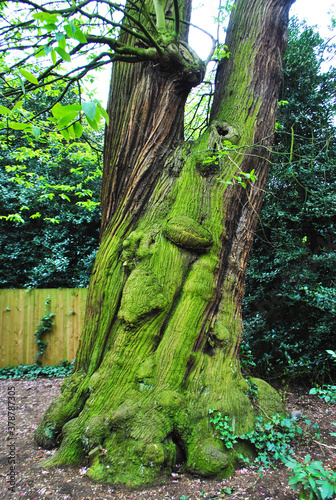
160 346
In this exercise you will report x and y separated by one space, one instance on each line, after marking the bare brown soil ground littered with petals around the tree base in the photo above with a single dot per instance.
34 482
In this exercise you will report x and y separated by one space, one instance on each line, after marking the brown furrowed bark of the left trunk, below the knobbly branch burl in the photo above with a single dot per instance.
140 142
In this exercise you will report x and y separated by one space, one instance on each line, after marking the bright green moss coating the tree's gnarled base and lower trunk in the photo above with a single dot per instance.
151 315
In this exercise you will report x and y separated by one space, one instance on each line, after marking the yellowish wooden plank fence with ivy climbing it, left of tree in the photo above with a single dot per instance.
21 312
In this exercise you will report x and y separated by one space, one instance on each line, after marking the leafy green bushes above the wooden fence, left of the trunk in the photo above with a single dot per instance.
50 215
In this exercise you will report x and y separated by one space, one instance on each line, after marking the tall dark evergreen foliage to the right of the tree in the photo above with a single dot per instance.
289 305
